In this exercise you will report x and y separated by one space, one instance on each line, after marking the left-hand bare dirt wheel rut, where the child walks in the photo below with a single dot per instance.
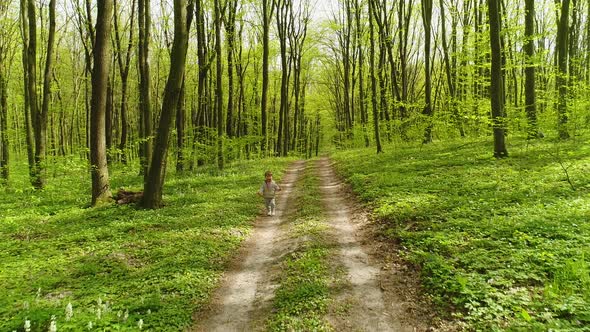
245 285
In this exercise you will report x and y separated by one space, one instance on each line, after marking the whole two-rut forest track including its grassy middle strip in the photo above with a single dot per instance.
327 258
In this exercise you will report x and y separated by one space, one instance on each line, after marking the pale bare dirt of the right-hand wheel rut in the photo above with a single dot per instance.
370 307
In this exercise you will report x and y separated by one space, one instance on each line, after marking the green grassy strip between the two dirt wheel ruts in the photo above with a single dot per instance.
303 297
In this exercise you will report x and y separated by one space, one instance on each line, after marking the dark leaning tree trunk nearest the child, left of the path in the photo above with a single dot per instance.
152 197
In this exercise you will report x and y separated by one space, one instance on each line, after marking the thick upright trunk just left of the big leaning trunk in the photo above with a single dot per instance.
101 191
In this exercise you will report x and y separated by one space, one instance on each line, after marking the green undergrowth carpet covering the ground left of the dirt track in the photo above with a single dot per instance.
118 265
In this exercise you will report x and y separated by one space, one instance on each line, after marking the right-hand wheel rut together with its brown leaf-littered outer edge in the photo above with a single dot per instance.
382 294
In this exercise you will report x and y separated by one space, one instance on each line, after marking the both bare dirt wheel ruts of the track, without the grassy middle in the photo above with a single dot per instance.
372 297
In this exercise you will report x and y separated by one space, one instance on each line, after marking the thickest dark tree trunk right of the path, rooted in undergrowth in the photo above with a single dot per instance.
496 88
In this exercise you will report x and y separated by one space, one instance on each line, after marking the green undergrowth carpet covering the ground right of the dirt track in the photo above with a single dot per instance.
501 244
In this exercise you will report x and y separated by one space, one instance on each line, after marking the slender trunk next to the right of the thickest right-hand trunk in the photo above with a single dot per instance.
529 71
